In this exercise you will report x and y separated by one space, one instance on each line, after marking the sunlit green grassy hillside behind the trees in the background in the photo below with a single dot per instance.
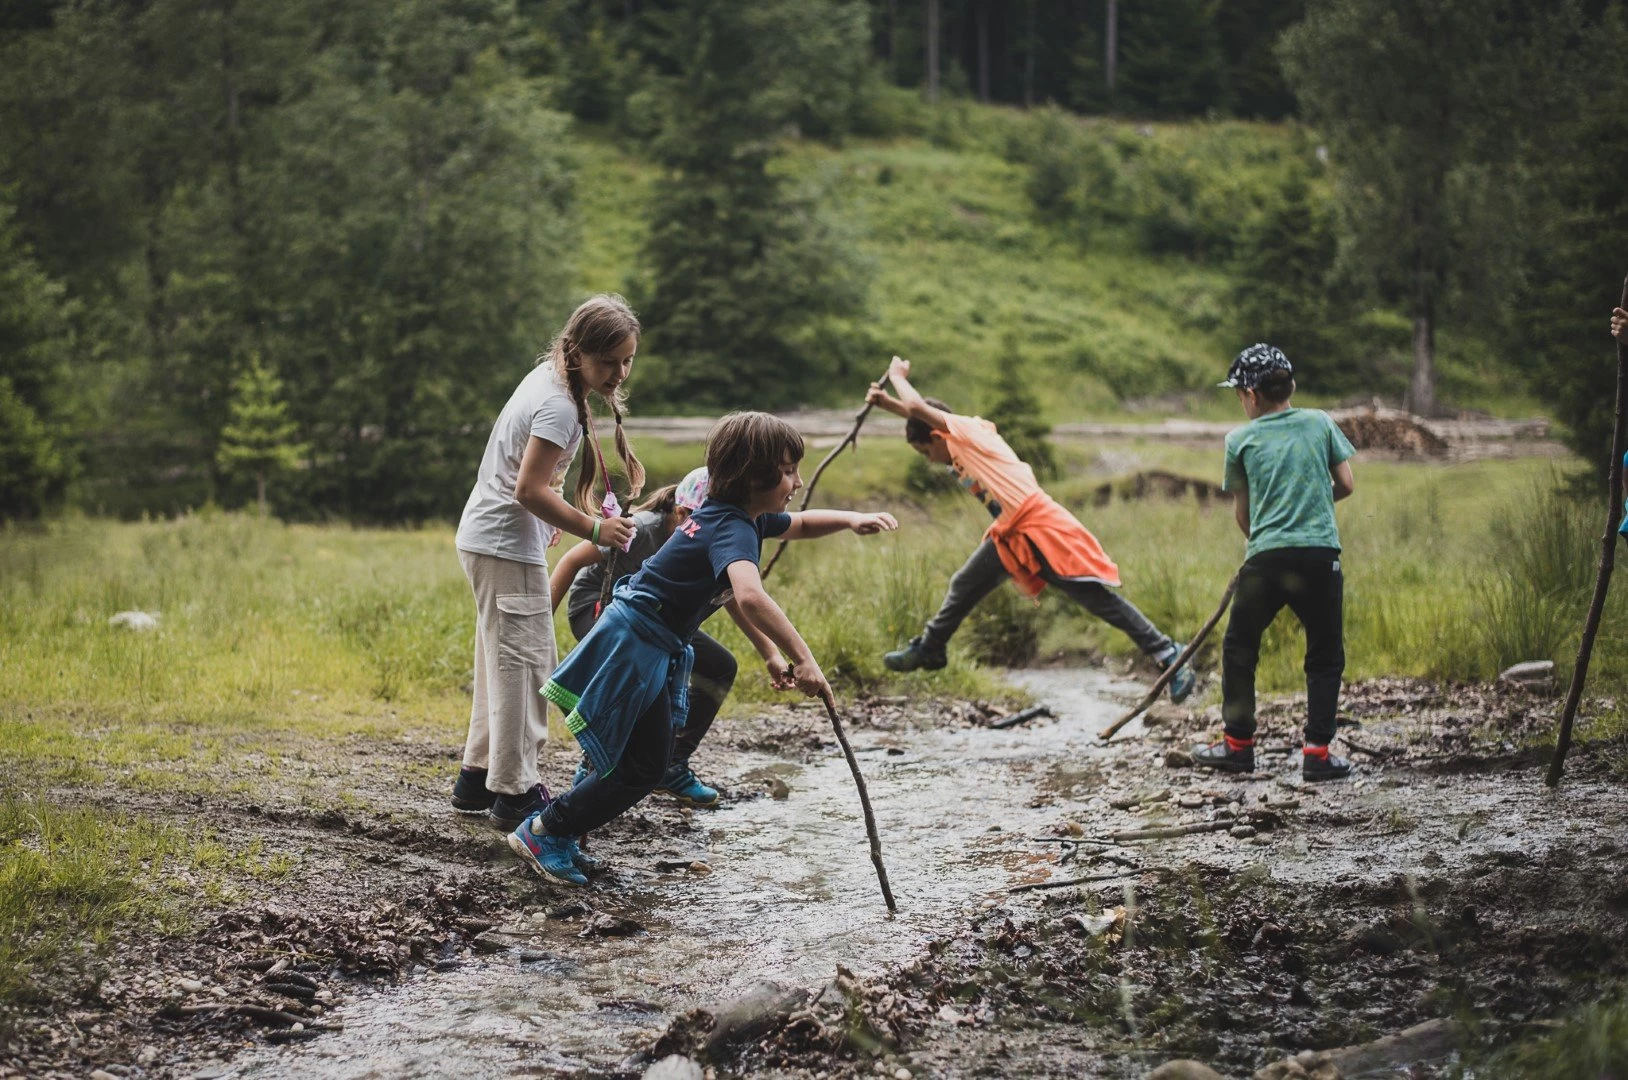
966 271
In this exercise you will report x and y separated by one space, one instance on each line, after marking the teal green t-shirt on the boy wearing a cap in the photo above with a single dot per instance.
1285 459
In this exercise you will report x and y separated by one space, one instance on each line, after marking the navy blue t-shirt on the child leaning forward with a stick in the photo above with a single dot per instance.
689 576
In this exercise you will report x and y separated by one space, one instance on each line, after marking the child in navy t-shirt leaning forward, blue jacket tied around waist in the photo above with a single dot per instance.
624 687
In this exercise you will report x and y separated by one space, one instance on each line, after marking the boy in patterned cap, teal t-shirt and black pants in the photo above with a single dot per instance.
1287 470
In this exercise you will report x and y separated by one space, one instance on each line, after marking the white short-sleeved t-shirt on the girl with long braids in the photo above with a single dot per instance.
494 524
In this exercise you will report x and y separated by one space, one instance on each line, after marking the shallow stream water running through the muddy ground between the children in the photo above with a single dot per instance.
790 895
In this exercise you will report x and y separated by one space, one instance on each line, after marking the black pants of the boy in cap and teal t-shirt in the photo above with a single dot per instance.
1308 581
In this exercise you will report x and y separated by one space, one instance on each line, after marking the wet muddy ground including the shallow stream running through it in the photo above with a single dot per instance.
1443 882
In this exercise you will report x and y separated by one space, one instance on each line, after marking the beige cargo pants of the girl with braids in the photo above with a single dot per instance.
515 657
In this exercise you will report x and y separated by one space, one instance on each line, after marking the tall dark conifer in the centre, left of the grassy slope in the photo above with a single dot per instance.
751 291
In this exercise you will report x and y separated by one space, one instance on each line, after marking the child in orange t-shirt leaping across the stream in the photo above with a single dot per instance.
1035 540
